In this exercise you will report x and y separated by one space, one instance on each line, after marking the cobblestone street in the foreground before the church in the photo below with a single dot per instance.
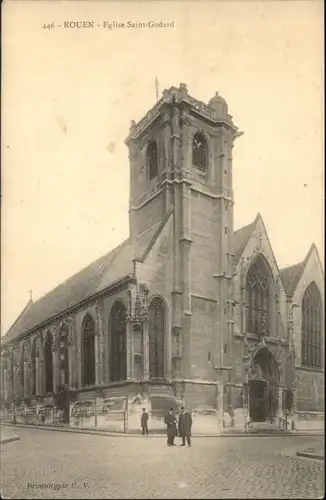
86 466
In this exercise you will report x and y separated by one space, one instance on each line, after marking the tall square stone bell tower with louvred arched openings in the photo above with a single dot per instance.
181 163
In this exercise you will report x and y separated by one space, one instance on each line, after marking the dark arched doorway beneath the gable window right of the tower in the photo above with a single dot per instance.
263 382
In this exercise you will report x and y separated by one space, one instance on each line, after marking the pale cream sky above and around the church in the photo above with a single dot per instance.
69 96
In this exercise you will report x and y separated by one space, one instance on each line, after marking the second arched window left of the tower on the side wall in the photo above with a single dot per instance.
118 343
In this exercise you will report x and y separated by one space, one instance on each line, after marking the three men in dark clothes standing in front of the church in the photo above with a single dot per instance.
175 427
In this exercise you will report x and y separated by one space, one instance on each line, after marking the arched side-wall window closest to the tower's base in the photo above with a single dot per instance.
156 314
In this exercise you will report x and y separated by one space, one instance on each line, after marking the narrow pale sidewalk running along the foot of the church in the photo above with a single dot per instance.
226 433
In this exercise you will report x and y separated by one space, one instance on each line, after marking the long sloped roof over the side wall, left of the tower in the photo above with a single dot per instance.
106 270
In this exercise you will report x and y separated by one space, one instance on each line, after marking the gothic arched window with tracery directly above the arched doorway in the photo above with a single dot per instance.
258 297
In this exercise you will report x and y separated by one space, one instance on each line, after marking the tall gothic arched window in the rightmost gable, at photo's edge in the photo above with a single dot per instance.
311 327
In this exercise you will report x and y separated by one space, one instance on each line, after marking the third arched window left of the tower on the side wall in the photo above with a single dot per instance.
88 346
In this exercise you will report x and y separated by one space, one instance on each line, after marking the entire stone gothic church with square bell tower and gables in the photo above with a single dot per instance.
185 311
